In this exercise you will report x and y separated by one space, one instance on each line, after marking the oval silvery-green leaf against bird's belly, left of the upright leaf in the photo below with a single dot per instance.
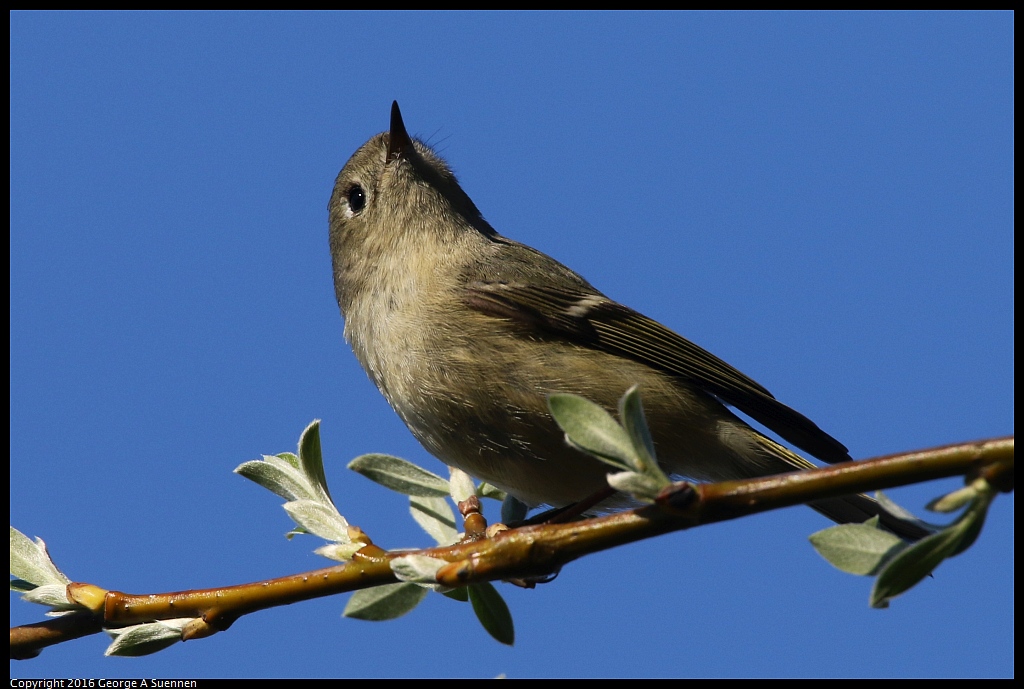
593 430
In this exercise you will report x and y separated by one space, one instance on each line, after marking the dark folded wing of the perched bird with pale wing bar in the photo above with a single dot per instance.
585 317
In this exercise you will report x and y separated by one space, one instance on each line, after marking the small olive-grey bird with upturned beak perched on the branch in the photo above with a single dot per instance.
466 333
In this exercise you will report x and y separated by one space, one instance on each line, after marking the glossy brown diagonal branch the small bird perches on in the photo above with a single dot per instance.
525 552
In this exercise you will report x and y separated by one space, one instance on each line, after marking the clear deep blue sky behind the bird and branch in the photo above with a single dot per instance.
826 201
